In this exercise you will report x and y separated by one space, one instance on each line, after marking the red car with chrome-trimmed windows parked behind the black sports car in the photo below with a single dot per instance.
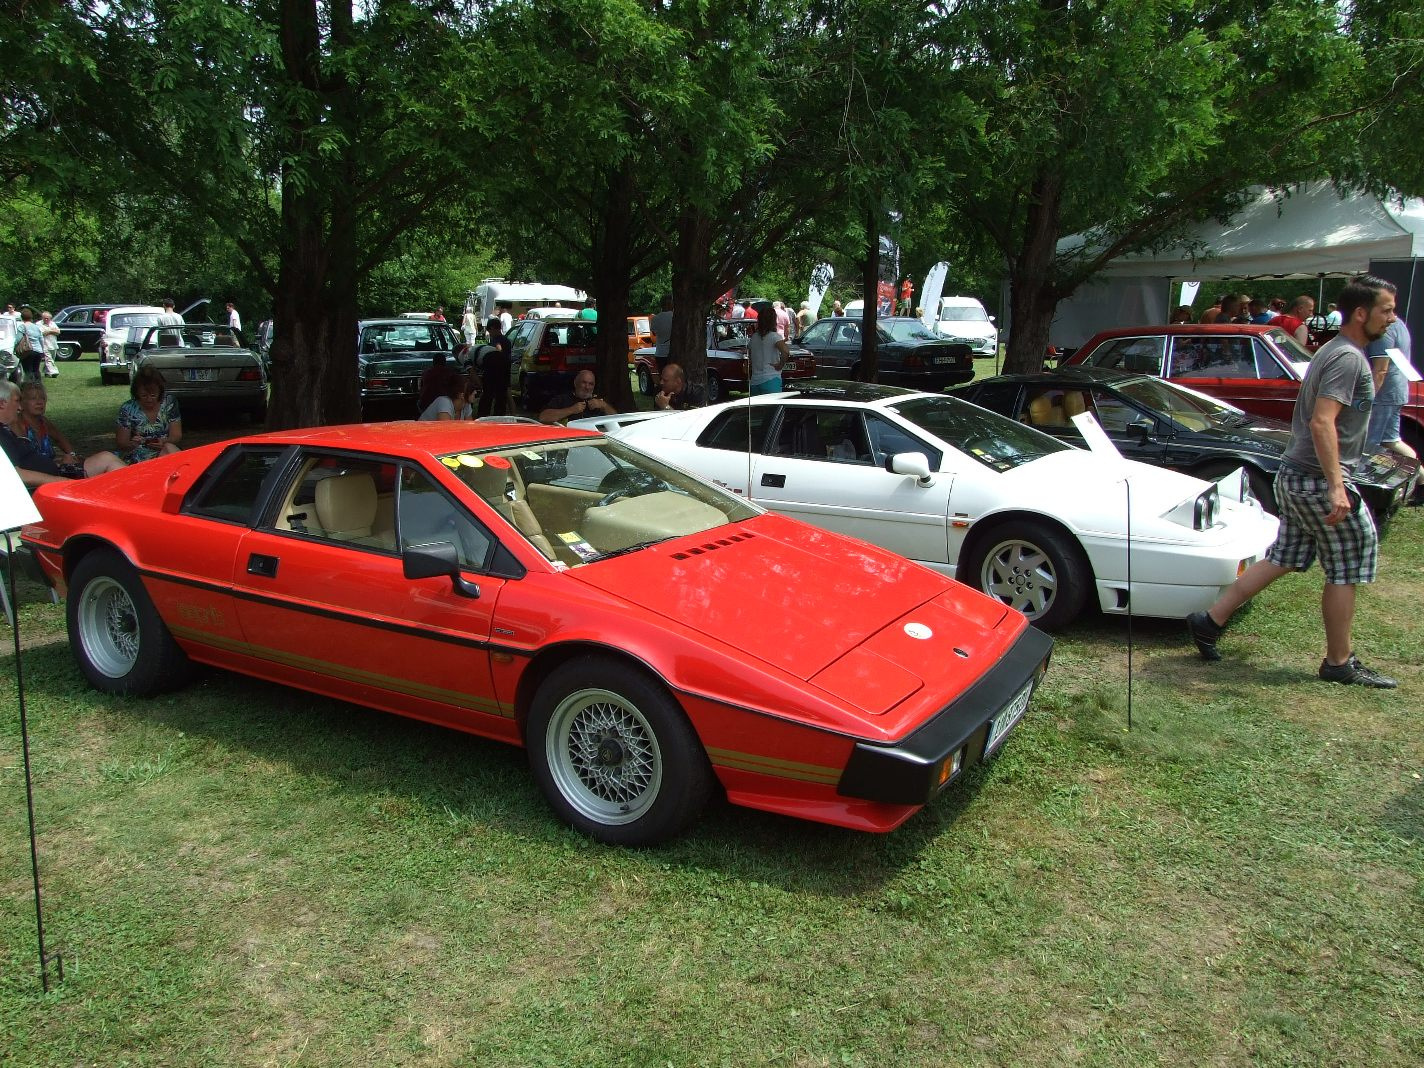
1255 368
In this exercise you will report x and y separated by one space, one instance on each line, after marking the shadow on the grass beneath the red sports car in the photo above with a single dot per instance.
483 785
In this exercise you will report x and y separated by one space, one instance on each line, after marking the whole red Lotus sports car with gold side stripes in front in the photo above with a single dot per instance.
644 634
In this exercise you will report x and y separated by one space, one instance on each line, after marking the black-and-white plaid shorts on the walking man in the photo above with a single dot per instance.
1349 552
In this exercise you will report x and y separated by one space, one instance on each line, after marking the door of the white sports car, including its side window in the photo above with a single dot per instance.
825 465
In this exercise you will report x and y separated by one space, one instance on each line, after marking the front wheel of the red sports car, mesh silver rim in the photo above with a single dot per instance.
614 754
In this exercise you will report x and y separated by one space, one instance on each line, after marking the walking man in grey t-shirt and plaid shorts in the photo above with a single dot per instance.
1321 513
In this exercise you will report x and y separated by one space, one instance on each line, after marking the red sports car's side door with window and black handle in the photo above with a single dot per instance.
325 604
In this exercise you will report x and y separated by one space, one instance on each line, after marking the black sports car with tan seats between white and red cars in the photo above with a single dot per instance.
1171 426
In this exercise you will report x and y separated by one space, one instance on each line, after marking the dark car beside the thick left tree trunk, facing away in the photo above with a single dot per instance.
392 355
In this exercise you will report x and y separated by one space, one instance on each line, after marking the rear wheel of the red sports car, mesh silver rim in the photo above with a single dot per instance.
119 639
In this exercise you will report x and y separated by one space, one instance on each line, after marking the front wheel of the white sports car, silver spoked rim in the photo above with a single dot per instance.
1032 567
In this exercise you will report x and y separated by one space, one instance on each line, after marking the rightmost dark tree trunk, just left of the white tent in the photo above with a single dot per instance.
1033 294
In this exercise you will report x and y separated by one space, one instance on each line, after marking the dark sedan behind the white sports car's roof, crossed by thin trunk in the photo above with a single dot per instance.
908 352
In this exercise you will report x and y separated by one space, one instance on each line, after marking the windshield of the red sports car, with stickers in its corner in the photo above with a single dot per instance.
593 499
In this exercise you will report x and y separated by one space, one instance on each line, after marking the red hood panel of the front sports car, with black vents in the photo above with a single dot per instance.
790 595
